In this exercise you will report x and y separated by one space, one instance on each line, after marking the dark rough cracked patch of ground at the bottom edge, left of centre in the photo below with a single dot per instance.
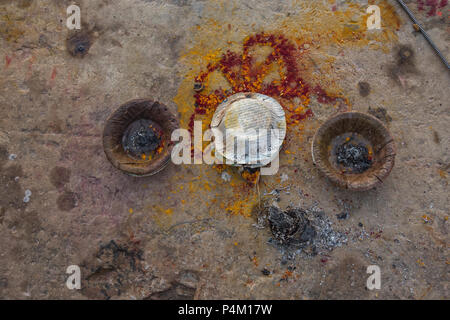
118 270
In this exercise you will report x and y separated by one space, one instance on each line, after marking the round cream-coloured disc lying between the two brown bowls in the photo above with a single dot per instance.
253 127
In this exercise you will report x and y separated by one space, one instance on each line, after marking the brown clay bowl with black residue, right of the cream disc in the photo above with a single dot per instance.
354 150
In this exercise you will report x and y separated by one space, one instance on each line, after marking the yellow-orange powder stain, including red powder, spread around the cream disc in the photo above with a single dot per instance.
289 61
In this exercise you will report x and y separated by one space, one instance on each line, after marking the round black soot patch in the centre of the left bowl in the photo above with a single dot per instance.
141 138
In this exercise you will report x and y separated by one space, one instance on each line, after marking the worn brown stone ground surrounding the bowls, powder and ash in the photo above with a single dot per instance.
178 234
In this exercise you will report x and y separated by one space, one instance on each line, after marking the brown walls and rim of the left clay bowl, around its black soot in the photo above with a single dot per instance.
118 124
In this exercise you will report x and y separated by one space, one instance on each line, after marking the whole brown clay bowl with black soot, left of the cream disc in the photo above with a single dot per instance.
136 137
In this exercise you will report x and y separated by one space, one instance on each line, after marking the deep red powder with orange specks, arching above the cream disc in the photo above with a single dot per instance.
244 75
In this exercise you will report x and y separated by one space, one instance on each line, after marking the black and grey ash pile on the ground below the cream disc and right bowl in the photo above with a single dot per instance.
307 232
